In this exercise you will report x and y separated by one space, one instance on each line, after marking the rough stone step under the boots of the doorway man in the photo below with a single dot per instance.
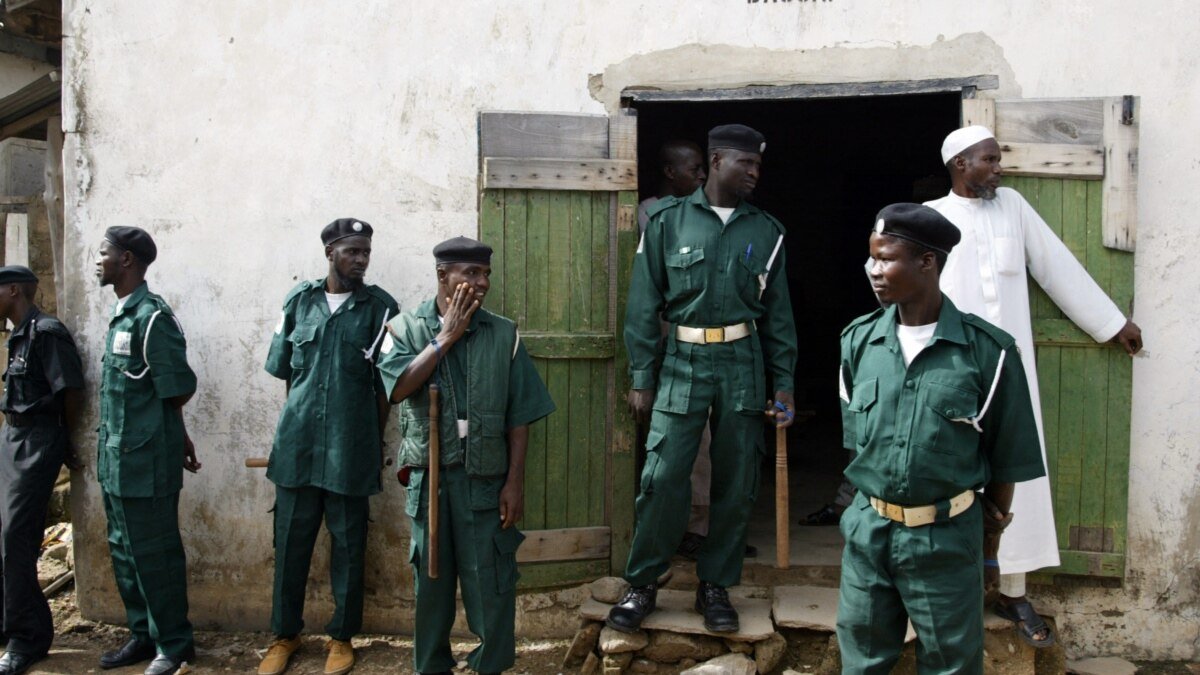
674 640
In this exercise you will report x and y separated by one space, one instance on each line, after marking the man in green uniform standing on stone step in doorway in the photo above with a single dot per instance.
713 266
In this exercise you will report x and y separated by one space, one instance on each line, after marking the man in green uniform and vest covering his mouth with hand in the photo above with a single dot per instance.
490 395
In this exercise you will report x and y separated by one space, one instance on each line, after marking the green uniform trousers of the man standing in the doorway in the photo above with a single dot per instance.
716 385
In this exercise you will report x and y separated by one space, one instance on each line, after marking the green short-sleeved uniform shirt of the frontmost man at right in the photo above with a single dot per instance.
955 420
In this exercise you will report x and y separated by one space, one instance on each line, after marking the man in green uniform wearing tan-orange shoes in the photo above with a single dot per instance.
327 457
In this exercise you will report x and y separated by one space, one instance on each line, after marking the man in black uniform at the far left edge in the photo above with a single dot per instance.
41 395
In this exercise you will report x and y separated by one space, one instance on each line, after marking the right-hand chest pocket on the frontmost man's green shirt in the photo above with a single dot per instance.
946 426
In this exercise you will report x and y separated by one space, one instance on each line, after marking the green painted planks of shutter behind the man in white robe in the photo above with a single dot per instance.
1087 390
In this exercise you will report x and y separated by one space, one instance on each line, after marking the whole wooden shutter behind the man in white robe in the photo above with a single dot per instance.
1076 160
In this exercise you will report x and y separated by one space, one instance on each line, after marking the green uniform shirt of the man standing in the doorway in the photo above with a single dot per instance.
703 273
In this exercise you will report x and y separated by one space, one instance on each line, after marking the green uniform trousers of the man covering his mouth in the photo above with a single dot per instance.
475 553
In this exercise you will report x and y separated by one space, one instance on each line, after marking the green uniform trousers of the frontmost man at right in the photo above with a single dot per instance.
932 576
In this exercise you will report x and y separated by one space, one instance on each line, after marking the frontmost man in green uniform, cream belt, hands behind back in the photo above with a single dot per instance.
935 407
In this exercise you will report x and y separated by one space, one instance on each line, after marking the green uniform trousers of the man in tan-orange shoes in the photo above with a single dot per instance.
298 516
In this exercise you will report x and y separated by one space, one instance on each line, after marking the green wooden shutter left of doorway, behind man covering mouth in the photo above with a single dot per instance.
559 205
